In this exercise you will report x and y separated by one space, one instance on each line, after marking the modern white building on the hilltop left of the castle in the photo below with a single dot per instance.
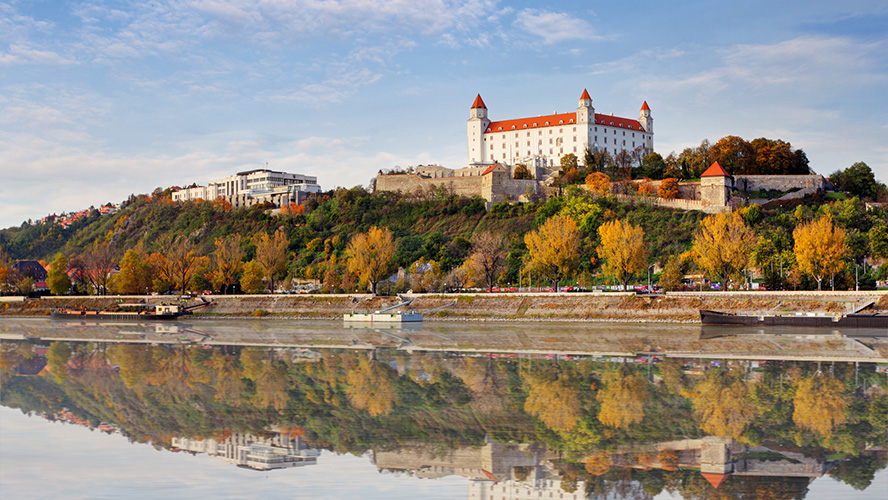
259 183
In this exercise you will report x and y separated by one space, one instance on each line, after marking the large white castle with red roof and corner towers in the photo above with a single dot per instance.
543 140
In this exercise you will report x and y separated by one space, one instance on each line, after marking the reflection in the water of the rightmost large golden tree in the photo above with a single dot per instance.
819 404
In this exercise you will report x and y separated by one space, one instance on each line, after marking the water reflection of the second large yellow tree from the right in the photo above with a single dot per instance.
722 402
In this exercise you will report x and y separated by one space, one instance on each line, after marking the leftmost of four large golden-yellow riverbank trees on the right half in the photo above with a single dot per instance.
553 249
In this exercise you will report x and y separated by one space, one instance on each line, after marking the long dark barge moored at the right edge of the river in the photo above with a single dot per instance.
872 320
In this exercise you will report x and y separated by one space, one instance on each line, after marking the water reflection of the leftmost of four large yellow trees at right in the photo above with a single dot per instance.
553 399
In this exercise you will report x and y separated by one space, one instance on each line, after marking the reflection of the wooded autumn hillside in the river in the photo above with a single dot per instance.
606 423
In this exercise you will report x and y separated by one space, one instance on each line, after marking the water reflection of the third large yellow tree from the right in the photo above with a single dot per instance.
622 398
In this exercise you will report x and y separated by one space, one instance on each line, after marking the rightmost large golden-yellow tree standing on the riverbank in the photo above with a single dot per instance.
820 248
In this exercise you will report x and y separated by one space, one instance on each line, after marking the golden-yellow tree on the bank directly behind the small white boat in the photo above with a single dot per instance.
372 255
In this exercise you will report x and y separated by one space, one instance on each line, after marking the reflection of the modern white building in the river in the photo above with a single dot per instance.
254 452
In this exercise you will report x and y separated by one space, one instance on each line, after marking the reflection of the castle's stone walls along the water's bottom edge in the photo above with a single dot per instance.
499 471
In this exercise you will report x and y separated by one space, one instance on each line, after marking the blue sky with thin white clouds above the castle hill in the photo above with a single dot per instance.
103 99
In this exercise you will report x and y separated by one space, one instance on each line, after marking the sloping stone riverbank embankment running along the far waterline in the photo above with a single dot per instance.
676 307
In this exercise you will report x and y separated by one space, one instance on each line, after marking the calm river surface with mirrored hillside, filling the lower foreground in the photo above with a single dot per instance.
283 409
